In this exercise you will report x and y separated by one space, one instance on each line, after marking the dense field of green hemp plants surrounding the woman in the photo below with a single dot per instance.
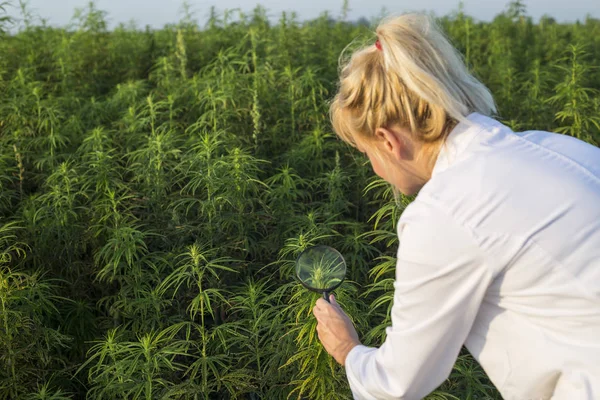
156 187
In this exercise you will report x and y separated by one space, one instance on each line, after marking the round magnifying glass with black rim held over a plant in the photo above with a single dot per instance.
321 269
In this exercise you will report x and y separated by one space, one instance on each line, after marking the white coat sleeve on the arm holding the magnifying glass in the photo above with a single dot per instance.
441 279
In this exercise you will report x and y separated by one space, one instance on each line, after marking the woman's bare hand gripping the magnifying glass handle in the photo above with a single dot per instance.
335 330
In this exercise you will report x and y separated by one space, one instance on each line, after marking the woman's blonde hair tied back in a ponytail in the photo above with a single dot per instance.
417 80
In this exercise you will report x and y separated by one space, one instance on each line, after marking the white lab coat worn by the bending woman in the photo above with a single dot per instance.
500 251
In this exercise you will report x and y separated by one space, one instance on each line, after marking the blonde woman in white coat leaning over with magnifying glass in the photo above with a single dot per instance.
500 251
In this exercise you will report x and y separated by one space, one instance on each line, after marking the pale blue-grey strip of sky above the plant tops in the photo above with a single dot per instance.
160 12
